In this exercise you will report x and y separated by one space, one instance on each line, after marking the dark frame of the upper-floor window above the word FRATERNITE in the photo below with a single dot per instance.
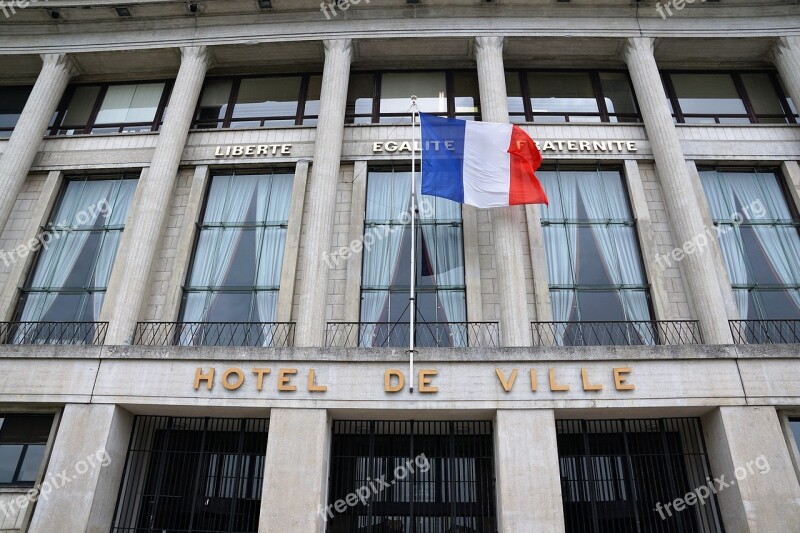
594 77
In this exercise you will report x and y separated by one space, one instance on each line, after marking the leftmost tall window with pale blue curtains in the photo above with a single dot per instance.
79 245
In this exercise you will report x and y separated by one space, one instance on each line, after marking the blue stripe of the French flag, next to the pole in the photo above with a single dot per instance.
443 157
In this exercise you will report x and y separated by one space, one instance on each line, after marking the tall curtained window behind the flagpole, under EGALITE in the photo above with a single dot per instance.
440 285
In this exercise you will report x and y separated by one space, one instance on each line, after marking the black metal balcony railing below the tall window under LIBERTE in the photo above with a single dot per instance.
265 334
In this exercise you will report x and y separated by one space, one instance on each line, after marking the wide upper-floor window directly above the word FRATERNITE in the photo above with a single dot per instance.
570 96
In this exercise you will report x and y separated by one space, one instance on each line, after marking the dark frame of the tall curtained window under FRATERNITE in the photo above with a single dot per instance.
631 223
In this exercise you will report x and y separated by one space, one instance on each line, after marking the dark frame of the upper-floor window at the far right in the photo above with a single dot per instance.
680 117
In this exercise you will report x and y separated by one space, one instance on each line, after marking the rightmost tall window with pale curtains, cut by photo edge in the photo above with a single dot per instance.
759 238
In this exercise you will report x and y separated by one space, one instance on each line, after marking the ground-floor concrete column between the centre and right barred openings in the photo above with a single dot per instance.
527 472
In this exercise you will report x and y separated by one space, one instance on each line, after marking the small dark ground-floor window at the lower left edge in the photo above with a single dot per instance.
23 439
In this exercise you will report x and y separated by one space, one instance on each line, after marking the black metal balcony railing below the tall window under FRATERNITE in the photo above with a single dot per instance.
622 333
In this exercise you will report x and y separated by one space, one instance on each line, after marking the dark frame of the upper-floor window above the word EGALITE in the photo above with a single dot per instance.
377 80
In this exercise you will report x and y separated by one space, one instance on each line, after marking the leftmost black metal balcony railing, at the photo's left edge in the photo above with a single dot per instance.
89 333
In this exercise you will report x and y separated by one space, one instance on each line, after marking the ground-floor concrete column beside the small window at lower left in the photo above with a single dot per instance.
89 450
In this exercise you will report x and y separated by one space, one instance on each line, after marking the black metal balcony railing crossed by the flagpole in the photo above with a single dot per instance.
428 334
